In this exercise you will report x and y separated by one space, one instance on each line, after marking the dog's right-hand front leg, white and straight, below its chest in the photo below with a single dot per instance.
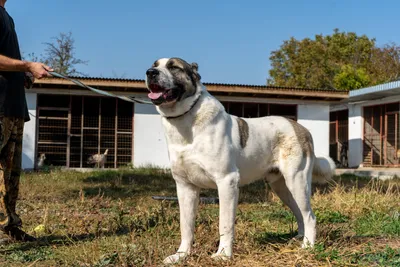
228 193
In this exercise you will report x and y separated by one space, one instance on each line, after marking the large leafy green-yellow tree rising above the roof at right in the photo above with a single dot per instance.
341 60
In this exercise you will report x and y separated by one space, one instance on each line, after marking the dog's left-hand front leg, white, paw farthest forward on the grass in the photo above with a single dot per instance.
188 198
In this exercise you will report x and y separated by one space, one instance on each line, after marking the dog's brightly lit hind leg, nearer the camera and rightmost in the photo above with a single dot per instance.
298 181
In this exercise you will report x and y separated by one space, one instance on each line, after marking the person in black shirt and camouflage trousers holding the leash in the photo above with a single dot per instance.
13 114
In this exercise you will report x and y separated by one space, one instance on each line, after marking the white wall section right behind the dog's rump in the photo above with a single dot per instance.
316 119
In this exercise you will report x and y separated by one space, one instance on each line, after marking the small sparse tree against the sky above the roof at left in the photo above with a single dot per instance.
60 55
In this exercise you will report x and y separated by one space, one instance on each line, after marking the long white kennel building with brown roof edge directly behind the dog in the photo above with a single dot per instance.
69 123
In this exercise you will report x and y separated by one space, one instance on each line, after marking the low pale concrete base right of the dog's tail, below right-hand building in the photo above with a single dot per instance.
381 173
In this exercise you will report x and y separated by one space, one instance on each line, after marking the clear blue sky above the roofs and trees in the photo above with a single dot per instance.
230 40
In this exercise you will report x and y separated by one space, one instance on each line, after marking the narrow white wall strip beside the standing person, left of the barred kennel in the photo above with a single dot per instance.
28 144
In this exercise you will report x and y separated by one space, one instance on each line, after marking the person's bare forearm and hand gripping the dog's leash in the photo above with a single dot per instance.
39 70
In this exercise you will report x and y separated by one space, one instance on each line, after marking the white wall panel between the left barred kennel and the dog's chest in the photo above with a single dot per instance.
149 140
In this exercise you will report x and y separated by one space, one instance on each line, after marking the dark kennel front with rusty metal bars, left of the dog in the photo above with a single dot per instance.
72 128
